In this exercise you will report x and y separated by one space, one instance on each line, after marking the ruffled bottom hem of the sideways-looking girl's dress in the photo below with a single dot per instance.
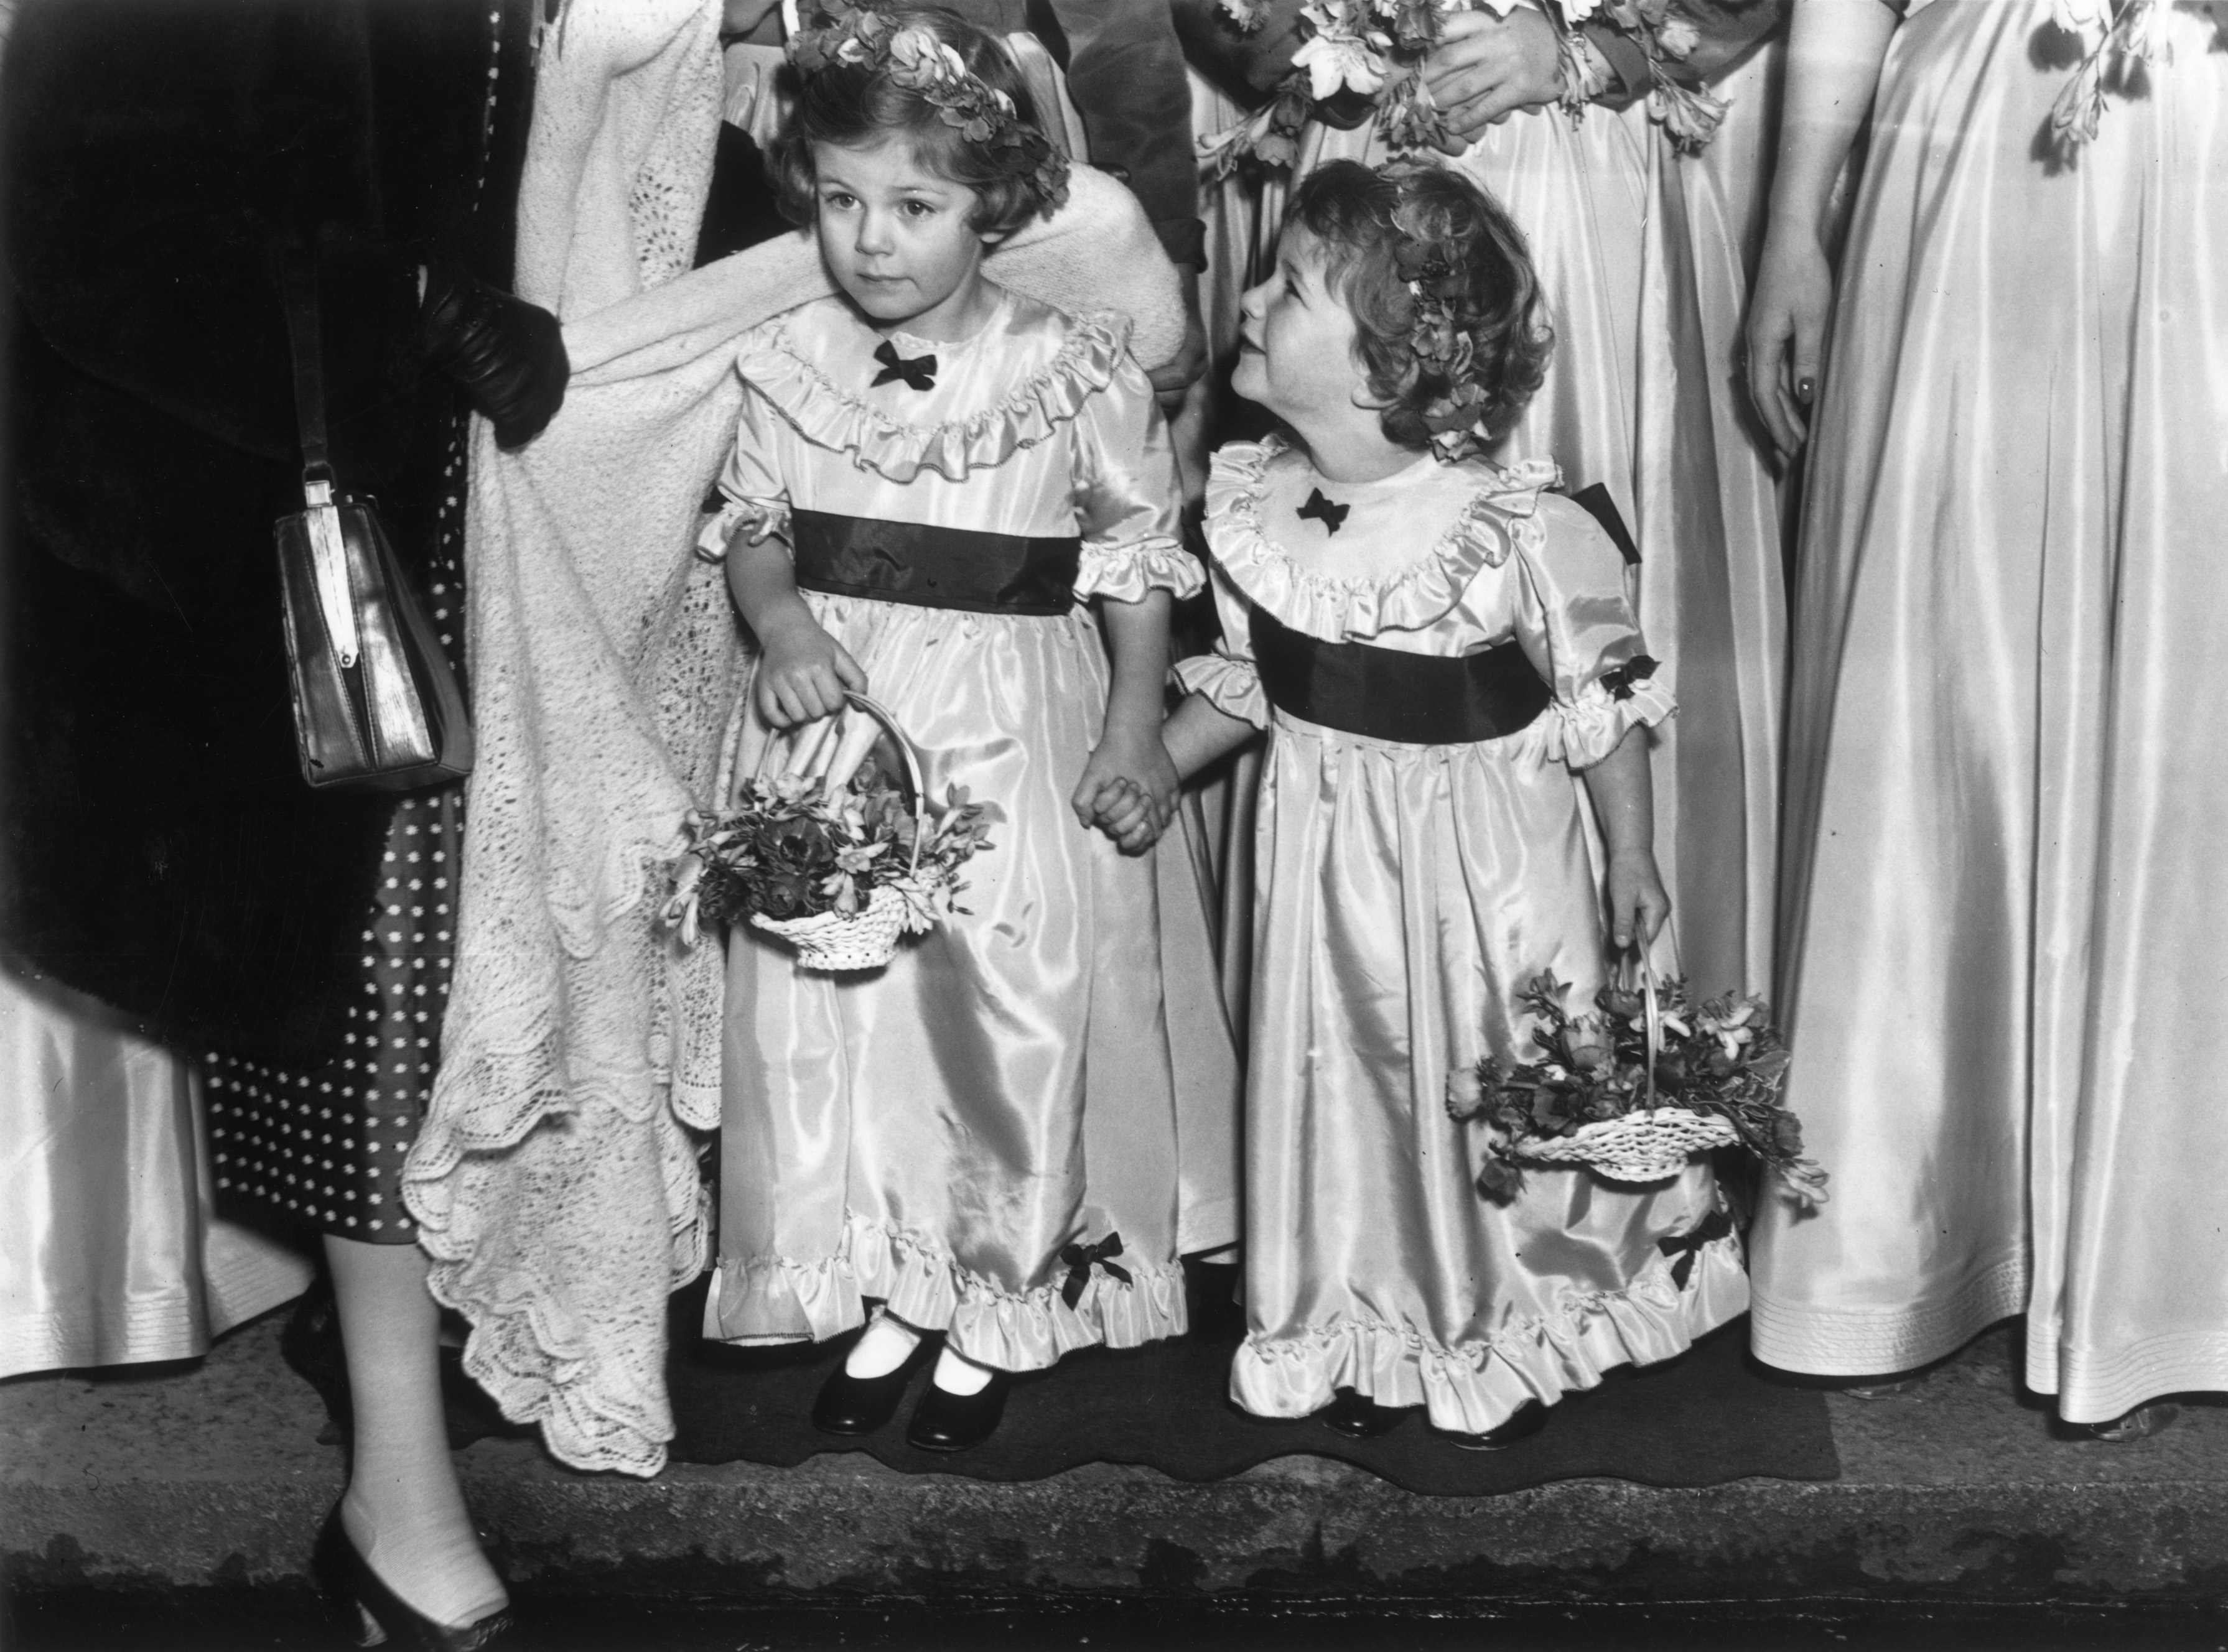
1481 1386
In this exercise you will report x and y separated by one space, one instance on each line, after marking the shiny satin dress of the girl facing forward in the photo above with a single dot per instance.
1017 1081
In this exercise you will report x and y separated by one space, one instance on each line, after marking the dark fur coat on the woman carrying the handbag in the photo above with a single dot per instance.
159 843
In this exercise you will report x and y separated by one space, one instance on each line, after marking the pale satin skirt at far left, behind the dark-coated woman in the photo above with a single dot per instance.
110 1252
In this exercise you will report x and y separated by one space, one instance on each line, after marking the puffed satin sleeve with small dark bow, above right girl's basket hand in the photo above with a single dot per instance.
1579 629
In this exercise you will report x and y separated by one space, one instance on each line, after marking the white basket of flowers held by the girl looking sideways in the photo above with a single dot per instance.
1587 1099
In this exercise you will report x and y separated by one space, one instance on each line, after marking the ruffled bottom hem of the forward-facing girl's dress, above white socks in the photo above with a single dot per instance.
776 1299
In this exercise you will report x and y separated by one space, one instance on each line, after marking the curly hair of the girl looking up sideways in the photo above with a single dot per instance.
1365 217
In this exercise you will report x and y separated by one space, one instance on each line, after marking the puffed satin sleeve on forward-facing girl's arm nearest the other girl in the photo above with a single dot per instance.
1126 495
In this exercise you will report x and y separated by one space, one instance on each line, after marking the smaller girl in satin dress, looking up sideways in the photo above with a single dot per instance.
1440 653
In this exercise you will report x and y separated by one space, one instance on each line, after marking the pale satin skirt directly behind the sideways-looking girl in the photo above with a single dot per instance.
1645 279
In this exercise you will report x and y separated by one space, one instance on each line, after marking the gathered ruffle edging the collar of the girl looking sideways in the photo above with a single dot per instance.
1498 520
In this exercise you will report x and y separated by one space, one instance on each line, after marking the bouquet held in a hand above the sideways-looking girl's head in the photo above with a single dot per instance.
1371 52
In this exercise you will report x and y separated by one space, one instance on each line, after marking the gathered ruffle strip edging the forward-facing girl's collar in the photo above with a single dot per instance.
1033 413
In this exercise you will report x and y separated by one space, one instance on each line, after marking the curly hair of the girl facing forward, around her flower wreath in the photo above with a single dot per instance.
857 106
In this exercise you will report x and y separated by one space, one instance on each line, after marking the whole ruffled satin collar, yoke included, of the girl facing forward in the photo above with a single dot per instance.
1010 386
